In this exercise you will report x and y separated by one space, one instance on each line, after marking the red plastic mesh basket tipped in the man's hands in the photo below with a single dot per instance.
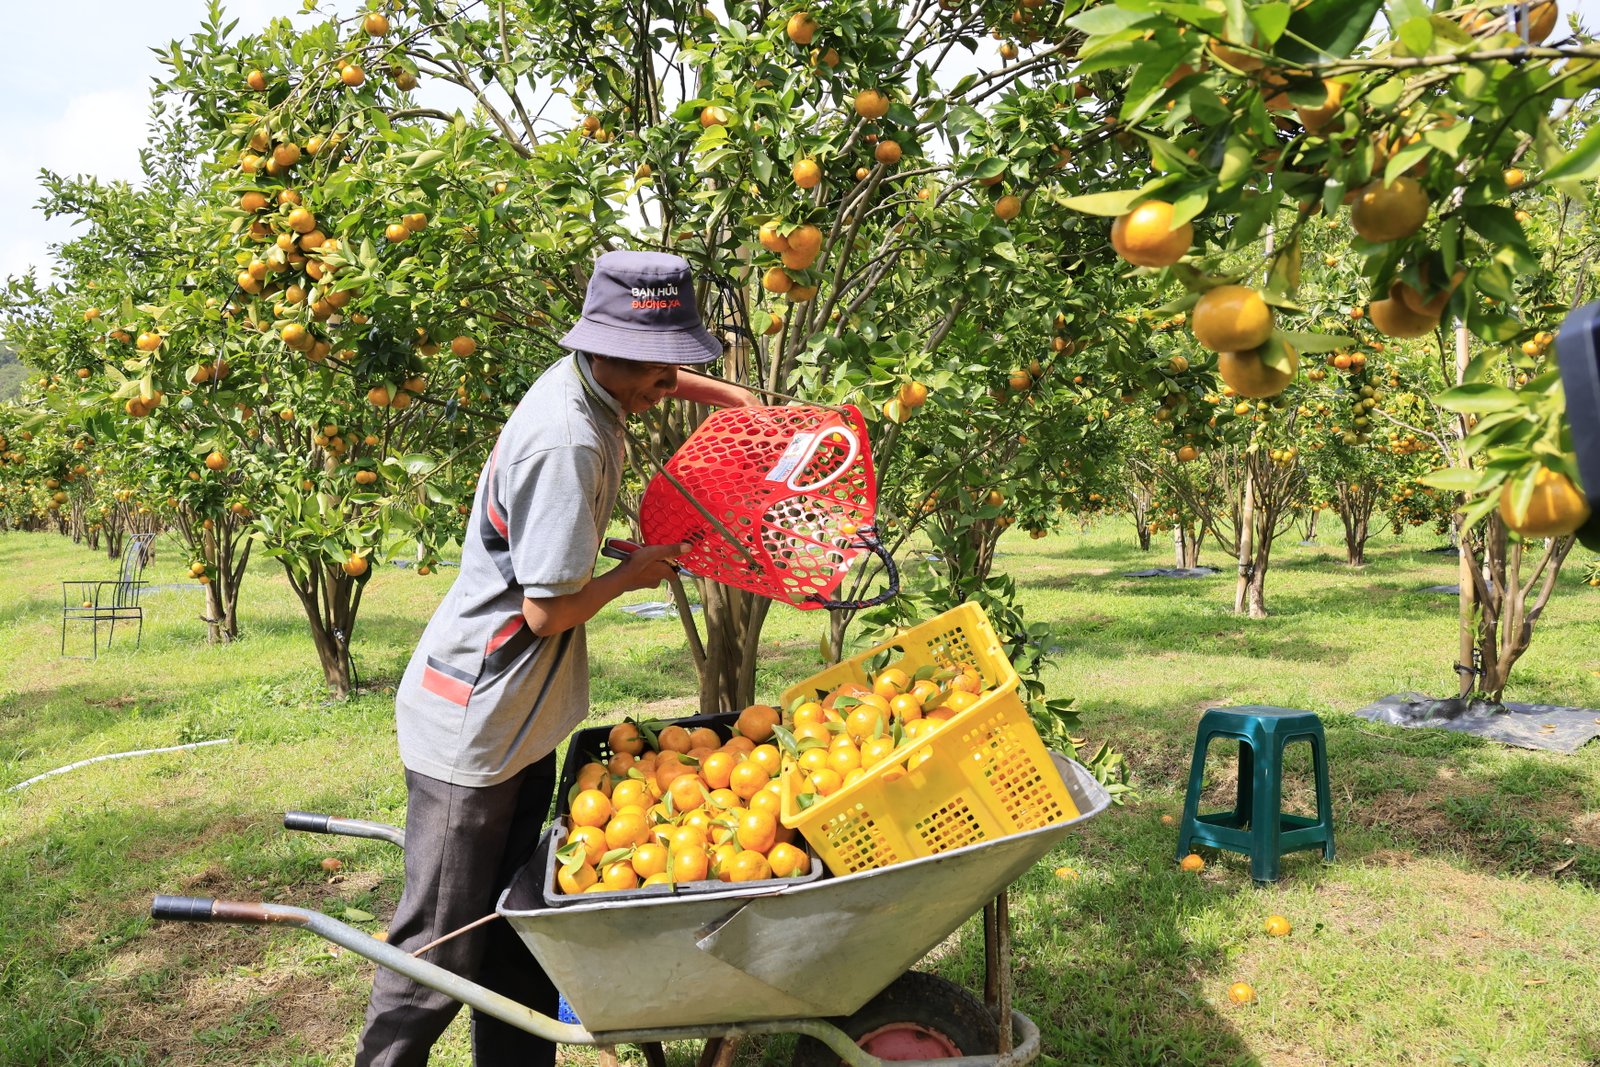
783 481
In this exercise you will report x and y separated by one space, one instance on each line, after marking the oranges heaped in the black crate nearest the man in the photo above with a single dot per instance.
681 805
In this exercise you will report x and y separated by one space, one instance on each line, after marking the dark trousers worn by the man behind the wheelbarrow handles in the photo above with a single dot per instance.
462 849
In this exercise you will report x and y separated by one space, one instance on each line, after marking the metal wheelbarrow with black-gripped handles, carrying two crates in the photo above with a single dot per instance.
758 961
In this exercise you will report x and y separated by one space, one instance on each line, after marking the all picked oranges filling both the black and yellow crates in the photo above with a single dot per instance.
684 804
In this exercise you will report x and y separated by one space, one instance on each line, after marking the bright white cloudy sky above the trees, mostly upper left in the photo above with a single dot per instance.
78 87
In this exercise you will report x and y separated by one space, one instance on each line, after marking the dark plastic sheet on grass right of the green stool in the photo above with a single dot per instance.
1545 727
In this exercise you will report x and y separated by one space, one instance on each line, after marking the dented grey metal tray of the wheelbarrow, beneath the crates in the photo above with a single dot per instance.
804 951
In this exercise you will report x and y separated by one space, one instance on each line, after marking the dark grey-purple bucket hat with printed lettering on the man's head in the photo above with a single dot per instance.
641 306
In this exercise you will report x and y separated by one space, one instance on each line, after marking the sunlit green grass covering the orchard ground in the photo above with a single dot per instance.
1460 925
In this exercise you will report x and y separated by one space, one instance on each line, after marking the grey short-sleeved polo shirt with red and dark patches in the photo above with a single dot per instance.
484 697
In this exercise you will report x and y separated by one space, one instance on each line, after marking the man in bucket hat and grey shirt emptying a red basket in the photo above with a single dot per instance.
502 674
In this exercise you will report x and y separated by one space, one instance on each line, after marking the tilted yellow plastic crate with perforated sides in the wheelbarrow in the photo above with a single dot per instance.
982 777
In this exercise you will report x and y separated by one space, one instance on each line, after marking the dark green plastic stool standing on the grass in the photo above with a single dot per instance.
1257 826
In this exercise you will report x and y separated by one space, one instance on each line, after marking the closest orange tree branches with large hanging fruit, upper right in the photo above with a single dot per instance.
1265 119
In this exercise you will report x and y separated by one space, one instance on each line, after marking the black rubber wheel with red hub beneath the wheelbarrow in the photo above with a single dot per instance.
919 1017
